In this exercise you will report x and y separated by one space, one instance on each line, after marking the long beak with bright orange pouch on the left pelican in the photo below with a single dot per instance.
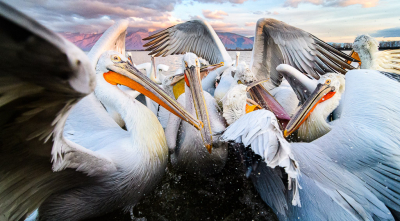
125 74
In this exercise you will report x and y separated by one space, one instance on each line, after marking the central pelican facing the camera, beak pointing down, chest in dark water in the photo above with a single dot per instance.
188 152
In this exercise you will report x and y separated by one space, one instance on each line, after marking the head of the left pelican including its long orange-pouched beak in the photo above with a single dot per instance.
113 68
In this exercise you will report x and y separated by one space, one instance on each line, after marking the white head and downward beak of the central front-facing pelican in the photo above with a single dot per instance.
191 67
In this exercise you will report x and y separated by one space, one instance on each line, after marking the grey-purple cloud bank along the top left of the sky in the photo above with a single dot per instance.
97 15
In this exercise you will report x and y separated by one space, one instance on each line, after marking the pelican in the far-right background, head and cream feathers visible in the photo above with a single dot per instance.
367 48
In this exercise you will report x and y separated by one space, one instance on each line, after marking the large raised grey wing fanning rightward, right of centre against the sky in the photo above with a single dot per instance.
279 43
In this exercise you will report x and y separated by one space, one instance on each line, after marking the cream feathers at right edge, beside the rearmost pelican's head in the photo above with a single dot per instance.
388 61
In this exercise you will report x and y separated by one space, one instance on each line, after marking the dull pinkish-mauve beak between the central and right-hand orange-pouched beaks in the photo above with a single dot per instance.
260 95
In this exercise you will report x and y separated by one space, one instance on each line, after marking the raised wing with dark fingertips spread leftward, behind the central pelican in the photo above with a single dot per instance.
195 36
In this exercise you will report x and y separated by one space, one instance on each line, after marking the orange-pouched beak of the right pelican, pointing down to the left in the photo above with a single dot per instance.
322 93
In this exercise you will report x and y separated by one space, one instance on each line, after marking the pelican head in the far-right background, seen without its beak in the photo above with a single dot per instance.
366 47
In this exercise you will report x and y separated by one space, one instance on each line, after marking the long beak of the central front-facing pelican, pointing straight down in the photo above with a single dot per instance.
192 78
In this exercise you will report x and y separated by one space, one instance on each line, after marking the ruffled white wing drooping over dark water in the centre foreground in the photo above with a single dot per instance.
260 131
